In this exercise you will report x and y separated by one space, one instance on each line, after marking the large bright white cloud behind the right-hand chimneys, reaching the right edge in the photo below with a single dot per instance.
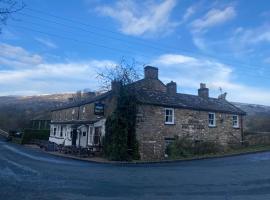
190 71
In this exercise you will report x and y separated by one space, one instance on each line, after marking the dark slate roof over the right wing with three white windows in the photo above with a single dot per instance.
186 101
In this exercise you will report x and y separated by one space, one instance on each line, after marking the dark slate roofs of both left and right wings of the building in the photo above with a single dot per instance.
159 98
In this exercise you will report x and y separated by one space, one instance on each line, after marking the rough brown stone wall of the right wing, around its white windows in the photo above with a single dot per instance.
151 129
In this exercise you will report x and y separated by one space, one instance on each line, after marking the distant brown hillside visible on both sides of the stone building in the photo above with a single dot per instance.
17 111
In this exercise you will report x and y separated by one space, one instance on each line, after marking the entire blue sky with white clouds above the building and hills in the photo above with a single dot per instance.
59 46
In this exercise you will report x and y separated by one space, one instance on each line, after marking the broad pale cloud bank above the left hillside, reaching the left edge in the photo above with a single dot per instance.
41 77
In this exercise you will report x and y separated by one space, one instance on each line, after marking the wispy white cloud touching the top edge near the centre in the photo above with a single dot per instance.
141 18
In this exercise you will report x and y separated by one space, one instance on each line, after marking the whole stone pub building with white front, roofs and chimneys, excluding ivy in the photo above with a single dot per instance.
162 115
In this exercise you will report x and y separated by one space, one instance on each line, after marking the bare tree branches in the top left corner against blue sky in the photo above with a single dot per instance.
8 8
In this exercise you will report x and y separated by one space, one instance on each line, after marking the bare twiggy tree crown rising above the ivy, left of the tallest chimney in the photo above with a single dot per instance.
123 72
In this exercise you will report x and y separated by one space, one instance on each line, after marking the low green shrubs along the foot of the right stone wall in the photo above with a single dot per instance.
185 147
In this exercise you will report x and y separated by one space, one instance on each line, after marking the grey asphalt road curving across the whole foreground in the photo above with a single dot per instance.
31 174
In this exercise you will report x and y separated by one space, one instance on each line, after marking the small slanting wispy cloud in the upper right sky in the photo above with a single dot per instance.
212 18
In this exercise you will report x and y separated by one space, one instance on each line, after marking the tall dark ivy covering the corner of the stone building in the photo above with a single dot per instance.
120 141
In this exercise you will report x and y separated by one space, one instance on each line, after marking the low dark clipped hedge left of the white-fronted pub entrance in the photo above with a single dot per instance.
34 134
